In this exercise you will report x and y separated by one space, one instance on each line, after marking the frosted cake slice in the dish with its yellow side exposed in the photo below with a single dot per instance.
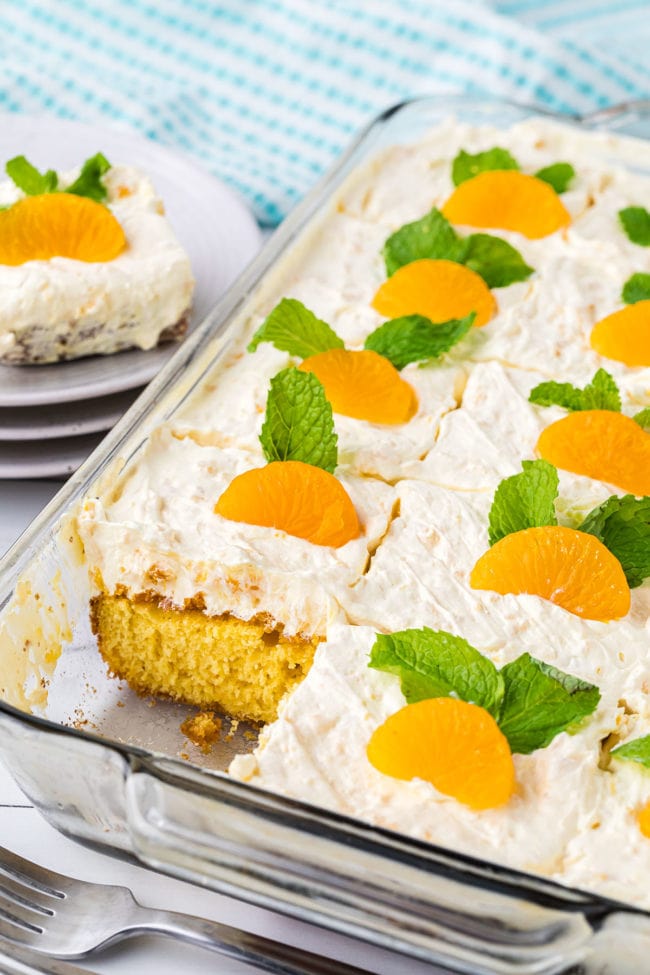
225 609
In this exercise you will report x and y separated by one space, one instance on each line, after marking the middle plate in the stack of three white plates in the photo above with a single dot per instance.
64 419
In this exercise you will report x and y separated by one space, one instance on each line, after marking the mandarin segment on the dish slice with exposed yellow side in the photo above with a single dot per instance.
297 498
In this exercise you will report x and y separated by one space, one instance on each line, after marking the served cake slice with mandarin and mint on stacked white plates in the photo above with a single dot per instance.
88 264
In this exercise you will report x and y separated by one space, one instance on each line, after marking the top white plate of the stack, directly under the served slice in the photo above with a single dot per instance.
212 223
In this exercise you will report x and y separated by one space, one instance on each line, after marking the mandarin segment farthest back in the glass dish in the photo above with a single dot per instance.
507 200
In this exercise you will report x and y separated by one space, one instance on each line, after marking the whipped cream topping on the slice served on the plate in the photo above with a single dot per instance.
105 306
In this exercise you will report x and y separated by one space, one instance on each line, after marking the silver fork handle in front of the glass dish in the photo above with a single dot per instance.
243 946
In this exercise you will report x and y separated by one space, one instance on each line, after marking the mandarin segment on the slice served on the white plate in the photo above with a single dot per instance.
39 228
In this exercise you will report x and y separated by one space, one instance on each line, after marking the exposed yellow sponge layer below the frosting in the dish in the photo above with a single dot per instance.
243 668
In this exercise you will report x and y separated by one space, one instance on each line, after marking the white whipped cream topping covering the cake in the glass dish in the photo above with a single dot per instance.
570 818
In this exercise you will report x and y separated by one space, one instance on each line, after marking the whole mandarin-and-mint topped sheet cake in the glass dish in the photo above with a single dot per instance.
405 522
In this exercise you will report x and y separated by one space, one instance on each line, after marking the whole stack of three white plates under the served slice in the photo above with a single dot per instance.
52 416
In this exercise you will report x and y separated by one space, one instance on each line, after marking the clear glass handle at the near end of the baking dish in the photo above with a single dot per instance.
457 914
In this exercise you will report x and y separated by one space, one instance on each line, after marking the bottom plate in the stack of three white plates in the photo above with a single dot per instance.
49 458
